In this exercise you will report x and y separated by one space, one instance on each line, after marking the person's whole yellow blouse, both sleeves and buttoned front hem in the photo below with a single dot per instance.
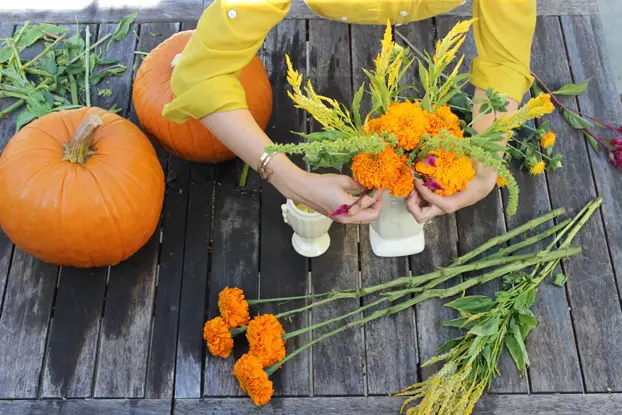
230 32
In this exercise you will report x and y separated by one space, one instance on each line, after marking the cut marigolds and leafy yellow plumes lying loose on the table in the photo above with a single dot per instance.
470 360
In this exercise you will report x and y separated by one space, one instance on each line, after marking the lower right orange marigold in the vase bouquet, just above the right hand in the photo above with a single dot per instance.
450 171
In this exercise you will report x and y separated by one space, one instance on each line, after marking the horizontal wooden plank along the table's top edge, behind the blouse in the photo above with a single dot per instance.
179 10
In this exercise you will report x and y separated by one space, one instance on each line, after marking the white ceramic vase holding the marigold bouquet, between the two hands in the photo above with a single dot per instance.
396 233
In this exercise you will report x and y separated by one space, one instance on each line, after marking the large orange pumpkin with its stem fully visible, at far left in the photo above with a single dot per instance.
82 188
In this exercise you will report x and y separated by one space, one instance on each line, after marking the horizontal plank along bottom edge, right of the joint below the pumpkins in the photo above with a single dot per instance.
557 404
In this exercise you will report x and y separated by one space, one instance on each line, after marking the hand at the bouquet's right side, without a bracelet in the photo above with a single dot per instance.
424 204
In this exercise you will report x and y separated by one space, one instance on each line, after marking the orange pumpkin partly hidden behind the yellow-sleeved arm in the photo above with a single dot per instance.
191 140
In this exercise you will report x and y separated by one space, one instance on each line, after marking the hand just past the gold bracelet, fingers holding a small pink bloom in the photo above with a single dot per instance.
325 193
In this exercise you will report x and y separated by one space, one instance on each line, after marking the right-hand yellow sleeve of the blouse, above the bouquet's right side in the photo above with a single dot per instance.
504 32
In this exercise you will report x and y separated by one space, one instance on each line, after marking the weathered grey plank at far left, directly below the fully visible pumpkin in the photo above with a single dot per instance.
24 325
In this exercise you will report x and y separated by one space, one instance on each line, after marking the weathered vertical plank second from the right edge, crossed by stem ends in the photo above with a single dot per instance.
554 335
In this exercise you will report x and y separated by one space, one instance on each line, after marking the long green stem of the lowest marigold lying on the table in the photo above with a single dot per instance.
434 293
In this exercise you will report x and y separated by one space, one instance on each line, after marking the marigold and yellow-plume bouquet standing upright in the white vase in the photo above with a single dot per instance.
402 139
